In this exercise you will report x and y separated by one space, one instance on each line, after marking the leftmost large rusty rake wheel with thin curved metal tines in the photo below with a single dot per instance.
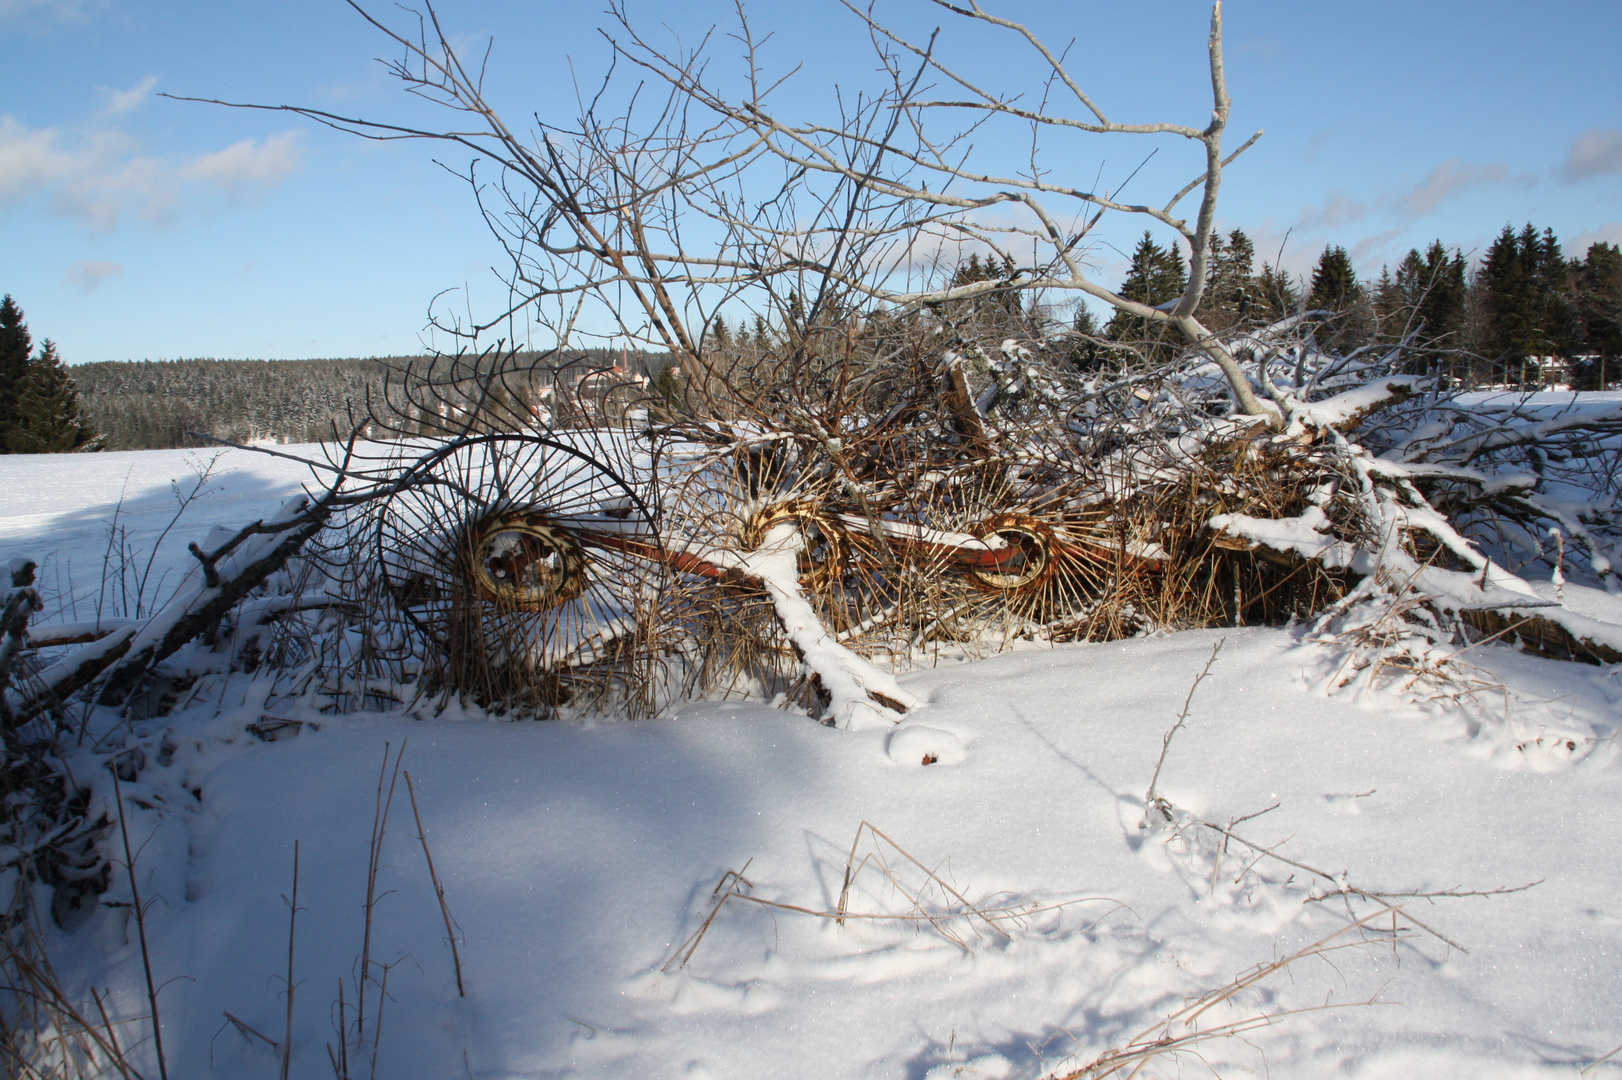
523 562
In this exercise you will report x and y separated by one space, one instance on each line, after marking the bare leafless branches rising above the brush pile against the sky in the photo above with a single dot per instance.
650 220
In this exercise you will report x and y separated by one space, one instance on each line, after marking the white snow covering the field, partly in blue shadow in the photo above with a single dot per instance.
577 859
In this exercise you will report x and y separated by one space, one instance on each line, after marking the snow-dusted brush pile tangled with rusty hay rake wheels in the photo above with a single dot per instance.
804 528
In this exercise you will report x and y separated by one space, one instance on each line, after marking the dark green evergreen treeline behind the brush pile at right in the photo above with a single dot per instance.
1525 315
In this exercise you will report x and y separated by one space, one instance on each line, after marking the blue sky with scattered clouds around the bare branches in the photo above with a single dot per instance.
140 228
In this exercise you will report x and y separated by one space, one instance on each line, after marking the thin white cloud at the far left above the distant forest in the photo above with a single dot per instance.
100 176
